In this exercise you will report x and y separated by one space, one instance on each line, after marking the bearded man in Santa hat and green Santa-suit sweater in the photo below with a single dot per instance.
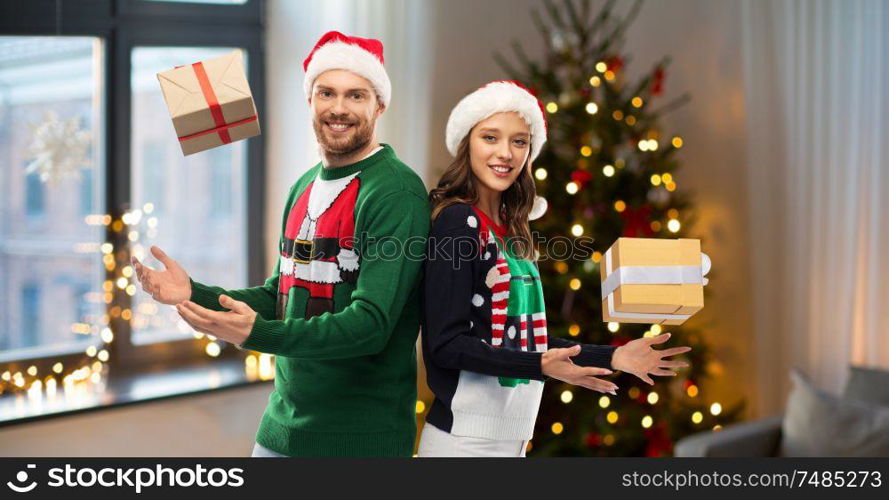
341 310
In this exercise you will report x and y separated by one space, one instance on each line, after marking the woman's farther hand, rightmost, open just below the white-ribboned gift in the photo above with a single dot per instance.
637 357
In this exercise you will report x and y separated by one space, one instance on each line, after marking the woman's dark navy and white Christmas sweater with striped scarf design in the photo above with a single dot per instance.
484 330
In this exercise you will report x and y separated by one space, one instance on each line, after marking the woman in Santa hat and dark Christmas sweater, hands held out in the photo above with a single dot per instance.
485 344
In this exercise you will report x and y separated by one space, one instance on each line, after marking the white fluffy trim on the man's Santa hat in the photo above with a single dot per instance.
340 55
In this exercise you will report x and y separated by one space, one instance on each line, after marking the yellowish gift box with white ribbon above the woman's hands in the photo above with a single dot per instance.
650 280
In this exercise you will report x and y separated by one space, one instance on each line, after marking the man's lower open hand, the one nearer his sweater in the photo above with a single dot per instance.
232 326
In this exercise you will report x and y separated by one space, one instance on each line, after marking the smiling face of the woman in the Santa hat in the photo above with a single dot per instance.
498 149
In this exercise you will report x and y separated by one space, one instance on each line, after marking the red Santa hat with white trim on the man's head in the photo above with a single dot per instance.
362 56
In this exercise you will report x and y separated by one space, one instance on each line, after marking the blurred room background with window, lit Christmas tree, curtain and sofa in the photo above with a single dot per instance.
757 126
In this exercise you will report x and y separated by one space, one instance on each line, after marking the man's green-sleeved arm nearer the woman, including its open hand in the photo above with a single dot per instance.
390 271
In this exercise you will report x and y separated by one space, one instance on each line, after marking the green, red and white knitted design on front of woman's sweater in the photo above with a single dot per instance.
518 318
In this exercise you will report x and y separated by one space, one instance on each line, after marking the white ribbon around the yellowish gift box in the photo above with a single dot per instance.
651 275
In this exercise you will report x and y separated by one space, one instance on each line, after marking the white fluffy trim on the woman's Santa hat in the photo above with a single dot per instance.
496 97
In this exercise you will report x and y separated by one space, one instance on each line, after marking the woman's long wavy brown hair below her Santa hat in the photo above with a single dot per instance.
457 185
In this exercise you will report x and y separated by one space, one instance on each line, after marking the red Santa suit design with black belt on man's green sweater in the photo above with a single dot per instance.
318 250
